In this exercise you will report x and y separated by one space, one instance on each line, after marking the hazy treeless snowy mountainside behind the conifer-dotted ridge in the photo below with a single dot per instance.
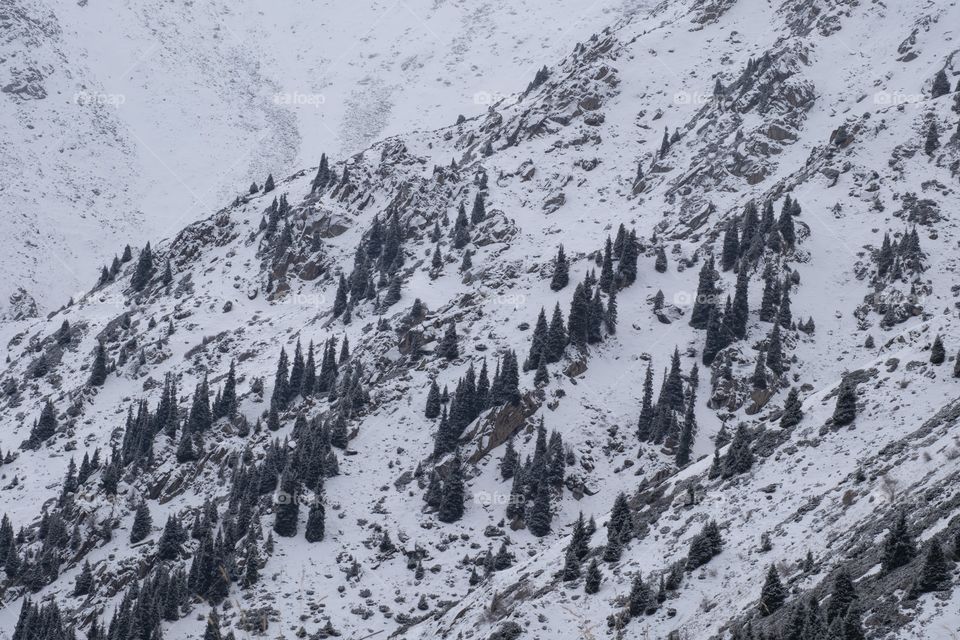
124 122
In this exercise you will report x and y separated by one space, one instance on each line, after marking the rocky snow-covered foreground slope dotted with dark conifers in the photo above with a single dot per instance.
827 103
